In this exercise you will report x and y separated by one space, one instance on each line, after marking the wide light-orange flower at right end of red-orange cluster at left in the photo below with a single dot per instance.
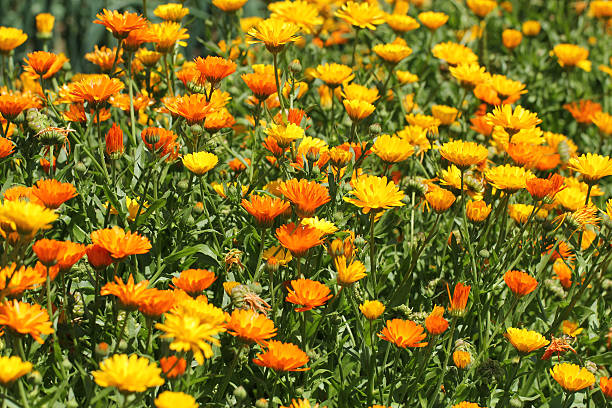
119 243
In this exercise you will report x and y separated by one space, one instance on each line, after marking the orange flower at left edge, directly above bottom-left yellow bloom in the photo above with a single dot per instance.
24 318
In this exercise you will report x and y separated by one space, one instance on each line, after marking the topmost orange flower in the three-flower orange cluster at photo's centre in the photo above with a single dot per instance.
306 195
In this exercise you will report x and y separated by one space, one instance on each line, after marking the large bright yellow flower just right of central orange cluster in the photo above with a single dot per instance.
374 193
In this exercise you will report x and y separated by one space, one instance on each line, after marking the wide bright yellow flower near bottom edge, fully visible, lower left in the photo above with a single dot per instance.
128 374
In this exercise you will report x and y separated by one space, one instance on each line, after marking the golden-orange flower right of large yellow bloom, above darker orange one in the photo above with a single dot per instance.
250 326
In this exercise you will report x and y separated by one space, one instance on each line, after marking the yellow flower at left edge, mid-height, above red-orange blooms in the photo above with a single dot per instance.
26 217
